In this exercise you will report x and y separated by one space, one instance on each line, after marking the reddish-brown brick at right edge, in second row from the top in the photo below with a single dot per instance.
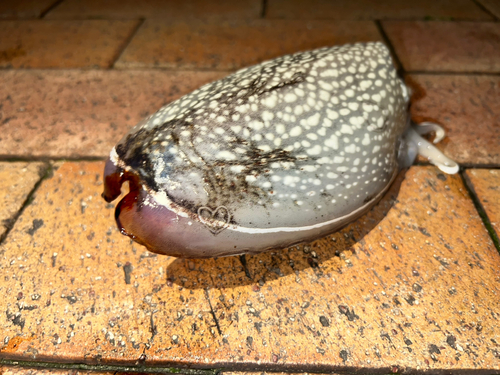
446 46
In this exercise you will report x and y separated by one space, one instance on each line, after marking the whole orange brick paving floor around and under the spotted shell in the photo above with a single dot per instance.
412 286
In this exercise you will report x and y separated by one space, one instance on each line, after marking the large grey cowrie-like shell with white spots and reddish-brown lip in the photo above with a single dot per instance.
276 154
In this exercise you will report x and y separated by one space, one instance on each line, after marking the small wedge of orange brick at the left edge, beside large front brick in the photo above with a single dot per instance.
17 180
